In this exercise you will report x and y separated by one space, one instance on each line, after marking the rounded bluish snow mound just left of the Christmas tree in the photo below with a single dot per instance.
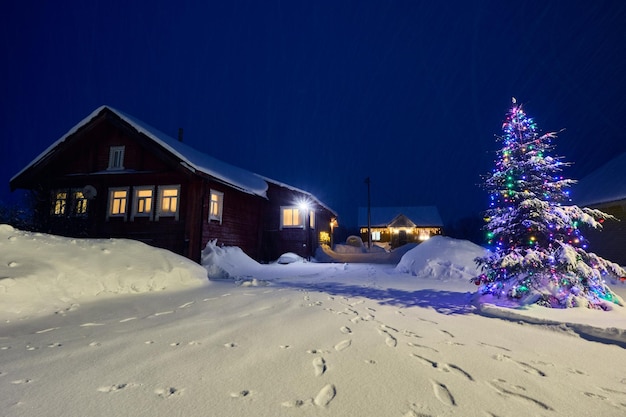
442 258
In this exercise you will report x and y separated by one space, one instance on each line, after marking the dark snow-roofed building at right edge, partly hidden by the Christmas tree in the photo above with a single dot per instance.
605 189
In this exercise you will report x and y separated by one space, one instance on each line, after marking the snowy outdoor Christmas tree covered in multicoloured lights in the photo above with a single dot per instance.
539 254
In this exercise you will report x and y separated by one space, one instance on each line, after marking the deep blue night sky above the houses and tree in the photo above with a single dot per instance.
321 94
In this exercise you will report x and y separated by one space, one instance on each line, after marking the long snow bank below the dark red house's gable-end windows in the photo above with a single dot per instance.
55 273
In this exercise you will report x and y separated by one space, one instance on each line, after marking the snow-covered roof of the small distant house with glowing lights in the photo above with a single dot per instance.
384 216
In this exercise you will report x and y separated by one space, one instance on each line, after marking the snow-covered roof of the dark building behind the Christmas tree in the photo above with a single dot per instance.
607 183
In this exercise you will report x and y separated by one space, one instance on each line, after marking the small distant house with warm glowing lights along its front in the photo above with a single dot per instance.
397 226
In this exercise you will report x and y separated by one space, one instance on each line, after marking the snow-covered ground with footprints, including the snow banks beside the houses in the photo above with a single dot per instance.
117 328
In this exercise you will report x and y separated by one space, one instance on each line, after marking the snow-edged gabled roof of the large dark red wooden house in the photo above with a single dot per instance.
191 159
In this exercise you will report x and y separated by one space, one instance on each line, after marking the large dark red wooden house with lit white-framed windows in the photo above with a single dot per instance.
114 176
